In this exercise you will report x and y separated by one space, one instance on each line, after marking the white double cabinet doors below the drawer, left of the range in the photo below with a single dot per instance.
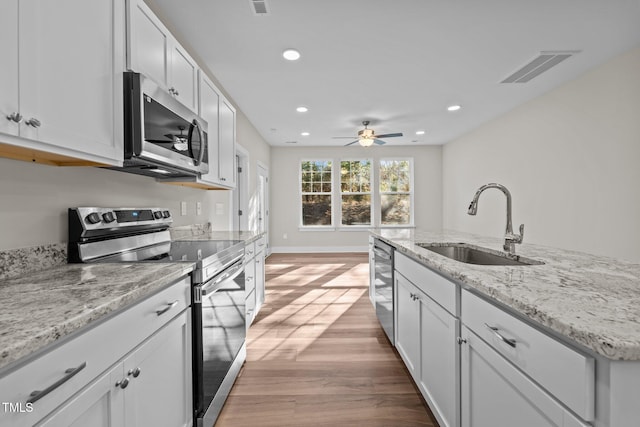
147 388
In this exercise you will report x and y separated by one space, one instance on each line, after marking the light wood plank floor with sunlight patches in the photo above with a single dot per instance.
316 355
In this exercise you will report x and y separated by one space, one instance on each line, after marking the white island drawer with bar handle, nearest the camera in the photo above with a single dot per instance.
564 372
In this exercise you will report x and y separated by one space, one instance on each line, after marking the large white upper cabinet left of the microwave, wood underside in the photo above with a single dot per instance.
61 89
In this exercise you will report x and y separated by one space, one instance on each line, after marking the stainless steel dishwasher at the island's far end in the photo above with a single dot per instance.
384 286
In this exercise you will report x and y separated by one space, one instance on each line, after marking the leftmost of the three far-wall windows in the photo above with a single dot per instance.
316 192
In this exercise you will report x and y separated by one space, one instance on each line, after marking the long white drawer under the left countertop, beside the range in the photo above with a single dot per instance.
82 358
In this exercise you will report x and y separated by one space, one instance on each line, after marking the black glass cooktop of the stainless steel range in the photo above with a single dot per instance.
181 250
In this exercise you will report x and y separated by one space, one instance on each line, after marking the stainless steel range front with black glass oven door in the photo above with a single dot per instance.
219 327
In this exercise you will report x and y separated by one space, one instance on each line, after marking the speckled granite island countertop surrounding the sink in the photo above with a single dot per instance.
591 300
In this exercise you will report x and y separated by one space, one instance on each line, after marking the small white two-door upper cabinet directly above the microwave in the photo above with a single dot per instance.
154 52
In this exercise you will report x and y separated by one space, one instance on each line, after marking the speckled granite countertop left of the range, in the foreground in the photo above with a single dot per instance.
42 307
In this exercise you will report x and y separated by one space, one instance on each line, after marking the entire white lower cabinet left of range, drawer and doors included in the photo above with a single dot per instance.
133 369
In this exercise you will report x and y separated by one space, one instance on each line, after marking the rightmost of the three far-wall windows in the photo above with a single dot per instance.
395 192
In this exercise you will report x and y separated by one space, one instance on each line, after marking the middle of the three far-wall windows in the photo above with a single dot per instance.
355 192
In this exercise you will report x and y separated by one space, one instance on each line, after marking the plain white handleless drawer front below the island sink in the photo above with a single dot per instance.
438 288
